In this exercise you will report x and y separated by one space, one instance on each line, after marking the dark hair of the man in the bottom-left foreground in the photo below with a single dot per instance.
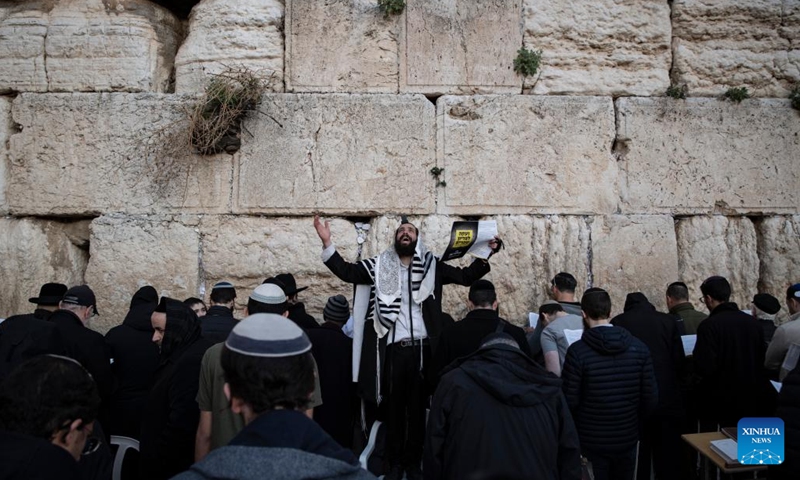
44 394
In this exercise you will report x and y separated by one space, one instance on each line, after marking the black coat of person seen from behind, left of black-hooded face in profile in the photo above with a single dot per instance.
135 363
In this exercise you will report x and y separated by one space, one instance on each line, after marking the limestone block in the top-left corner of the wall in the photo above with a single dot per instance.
23 29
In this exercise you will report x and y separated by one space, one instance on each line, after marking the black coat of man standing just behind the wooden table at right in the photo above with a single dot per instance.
729 356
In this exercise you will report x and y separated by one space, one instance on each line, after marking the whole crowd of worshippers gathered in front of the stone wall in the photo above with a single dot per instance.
387 384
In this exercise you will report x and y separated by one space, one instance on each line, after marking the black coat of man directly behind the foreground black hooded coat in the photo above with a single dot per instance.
466 336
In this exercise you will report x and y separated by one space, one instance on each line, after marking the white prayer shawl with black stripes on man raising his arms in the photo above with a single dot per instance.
385 294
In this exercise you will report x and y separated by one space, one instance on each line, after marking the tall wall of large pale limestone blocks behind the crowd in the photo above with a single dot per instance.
586 167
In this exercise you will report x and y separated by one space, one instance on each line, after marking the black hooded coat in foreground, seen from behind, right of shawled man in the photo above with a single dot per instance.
499 414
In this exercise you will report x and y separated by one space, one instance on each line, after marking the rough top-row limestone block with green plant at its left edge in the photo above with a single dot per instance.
606 47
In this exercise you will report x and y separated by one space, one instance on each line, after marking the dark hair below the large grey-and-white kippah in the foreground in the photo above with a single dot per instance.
265 383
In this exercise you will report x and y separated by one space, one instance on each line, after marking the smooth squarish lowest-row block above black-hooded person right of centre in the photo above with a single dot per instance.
636 253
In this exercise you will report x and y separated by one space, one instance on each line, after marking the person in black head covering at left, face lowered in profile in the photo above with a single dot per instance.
171 415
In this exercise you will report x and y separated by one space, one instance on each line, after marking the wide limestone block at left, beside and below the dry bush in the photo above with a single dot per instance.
97 153
